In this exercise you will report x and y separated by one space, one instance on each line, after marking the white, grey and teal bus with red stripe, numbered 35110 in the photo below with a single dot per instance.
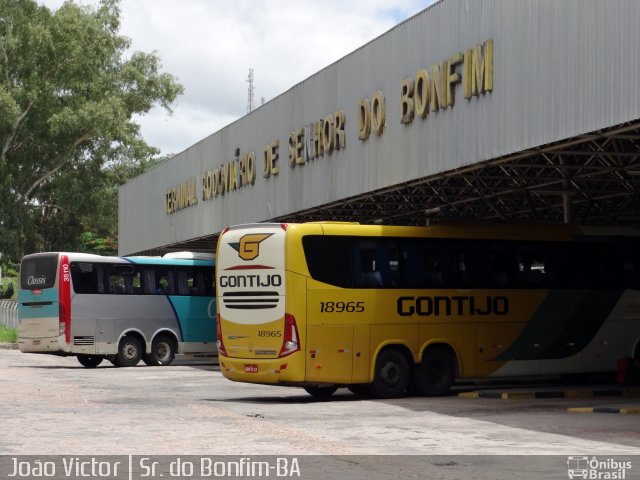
122 309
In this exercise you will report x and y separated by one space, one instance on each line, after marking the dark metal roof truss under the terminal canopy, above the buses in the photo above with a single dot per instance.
591 179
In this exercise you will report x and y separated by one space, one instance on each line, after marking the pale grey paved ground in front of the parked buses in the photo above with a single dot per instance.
52 406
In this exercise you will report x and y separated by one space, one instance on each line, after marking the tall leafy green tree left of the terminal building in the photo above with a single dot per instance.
70 90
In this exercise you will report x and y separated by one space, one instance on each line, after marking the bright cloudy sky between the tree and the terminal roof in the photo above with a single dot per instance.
210 45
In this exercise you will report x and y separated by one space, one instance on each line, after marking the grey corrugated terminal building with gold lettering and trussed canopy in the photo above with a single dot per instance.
505 110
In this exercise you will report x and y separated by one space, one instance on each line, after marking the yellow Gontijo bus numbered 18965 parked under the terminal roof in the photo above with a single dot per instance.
386 309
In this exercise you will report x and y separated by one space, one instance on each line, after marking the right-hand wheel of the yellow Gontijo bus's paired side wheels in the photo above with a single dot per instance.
435 375
